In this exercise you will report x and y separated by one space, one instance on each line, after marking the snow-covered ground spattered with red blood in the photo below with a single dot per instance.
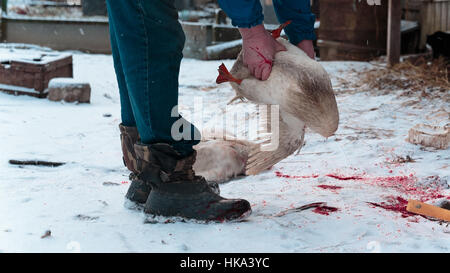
360 164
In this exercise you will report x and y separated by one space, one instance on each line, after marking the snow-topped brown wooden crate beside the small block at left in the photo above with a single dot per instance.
23 76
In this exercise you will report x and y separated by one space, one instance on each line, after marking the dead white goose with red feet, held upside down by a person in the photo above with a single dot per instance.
300 87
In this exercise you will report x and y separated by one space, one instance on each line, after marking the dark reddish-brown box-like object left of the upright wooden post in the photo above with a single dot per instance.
352 30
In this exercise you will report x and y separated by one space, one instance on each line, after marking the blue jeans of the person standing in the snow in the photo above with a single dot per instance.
147 42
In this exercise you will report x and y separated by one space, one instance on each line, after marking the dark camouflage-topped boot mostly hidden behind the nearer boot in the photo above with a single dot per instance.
138 191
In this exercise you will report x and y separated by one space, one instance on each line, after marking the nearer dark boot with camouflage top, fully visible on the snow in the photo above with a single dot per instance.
177 191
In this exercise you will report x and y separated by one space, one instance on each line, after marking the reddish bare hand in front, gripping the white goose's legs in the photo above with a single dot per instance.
259 48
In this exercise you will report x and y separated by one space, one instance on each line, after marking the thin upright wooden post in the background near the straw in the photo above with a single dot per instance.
393 40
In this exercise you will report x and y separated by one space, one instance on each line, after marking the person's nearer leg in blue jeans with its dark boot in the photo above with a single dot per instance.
150 41
